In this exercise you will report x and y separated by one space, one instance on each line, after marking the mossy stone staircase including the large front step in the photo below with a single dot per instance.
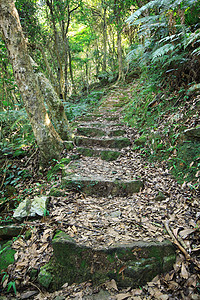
101 139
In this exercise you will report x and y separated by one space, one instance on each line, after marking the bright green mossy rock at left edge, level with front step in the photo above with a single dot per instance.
6 255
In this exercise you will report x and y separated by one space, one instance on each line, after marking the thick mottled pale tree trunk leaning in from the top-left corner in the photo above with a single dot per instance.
48 140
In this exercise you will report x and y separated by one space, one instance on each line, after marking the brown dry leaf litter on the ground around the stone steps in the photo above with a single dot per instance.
103 221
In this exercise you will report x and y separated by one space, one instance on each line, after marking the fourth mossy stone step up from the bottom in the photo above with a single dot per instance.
117 143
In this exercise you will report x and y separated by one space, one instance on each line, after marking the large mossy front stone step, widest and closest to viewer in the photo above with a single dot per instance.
130 265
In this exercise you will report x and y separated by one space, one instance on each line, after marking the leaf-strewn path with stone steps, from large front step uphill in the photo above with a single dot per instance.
125 204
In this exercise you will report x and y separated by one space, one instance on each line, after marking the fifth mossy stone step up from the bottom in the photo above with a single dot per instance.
97 132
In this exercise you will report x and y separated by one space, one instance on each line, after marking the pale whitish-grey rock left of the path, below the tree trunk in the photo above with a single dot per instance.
31 208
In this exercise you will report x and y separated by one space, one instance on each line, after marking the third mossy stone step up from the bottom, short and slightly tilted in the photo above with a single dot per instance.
108 155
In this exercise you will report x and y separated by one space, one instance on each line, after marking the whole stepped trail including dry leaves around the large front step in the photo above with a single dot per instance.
107 223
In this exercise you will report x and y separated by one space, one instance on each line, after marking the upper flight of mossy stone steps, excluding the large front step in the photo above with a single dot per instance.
104 137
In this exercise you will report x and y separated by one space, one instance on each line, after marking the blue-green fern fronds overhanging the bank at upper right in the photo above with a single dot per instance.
165 51
